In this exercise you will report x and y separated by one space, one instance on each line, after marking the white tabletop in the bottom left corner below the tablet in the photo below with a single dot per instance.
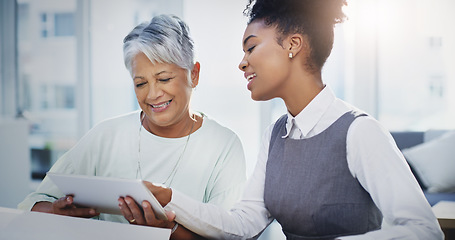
17 224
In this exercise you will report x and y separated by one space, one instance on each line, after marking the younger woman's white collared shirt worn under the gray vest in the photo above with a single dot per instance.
373 158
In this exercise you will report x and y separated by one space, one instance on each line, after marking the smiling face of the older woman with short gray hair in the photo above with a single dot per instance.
162 90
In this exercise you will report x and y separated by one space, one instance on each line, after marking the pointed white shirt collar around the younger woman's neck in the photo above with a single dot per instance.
308 118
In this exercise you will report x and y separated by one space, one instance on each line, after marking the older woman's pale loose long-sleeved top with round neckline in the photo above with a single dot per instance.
211 170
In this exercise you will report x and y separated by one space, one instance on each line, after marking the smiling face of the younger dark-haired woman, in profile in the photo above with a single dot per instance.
265 63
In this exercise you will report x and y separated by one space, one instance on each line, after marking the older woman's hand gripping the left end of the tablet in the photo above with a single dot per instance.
65 206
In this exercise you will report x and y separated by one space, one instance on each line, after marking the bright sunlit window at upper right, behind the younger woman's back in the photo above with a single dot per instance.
416 55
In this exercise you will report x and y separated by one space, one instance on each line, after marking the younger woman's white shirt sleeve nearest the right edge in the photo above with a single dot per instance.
375 160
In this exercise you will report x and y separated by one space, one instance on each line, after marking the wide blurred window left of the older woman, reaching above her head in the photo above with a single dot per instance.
69 75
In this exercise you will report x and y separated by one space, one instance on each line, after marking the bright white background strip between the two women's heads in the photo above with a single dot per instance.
217 28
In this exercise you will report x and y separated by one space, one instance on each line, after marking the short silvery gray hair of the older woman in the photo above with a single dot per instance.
164 39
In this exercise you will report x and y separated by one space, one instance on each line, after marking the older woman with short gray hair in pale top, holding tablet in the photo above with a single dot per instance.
164 142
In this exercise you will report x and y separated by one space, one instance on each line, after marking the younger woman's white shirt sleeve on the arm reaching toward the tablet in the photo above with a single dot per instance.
246 220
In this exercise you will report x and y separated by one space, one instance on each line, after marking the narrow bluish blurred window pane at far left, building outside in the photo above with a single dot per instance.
47 79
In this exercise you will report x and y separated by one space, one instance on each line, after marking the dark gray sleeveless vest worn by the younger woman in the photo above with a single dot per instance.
309 189
